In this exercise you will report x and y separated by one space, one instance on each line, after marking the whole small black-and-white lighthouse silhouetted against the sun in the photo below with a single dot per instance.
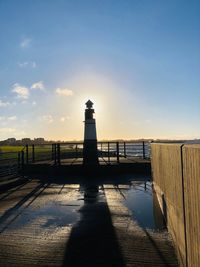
90 153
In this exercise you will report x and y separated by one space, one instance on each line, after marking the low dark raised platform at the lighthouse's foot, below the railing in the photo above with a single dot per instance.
75 165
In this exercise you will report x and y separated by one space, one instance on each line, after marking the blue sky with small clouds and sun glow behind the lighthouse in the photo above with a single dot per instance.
137 60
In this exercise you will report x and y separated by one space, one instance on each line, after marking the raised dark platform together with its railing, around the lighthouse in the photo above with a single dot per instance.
65 158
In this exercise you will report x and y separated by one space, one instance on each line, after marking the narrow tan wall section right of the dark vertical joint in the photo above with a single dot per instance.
191 160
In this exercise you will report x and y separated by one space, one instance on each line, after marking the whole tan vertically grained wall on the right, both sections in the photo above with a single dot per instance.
176 176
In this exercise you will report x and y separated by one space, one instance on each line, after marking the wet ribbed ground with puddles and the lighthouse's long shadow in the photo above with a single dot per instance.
84 224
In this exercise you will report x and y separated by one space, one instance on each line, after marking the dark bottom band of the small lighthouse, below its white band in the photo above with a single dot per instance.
90 153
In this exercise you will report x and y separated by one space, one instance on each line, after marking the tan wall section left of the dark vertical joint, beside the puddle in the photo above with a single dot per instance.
167 176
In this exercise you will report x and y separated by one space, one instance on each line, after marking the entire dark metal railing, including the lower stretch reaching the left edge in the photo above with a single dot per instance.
60 153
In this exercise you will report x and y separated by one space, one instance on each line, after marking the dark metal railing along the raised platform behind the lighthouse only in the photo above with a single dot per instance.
57 153
